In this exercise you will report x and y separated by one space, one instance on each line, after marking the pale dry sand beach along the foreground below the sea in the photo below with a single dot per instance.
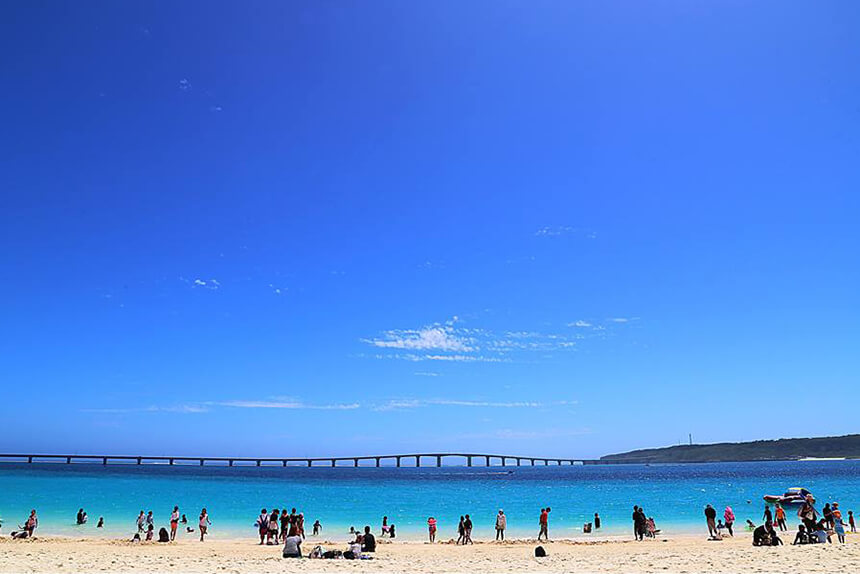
677 554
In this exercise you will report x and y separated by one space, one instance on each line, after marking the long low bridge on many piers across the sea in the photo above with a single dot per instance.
398 460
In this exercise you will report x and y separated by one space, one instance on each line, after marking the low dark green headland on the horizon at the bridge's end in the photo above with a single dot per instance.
847 446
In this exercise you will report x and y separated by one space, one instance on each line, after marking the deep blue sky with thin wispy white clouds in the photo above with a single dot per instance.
311 228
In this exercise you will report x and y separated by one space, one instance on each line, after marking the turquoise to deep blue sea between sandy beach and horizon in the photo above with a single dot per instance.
340 497
